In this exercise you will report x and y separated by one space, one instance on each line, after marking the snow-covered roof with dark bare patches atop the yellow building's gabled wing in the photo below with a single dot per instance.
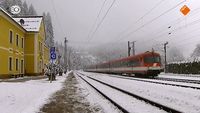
31 24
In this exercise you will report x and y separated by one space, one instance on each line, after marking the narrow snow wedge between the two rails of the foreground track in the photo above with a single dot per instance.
128 102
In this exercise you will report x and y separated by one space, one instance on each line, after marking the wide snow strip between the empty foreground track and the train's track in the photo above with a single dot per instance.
183 99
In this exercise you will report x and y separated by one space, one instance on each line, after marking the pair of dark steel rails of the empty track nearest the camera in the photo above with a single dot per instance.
163 107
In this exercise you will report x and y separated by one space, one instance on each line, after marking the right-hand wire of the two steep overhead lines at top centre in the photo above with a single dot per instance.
99 24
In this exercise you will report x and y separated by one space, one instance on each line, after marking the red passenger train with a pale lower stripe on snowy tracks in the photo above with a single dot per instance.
147 64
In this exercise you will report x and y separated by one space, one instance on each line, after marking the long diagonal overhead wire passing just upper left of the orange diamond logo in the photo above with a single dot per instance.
149 22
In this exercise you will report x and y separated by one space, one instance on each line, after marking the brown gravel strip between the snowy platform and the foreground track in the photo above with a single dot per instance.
69 100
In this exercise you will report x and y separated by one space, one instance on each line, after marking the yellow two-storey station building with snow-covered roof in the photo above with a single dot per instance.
22 45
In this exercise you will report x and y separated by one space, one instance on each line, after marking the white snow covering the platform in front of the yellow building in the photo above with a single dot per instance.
27 97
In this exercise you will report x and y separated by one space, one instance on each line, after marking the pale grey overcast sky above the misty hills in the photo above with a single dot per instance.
74 19
